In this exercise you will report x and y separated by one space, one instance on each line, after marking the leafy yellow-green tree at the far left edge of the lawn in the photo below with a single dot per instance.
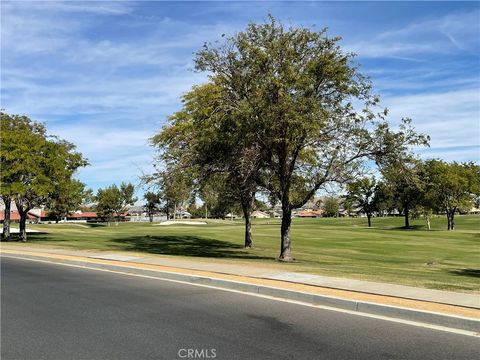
33 164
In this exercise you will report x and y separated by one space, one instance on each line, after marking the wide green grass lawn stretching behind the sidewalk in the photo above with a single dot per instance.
343 247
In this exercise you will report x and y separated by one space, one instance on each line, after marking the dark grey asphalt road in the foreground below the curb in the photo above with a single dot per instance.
51 311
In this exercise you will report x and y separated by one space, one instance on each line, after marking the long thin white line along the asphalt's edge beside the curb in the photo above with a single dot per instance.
406 322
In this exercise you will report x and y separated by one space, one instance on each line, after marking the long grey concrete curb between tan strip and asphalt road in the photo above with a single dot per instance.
421 316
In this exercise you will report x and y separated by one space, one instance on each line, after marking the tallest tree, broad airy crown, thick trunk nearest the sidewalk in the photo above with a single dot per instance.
292 91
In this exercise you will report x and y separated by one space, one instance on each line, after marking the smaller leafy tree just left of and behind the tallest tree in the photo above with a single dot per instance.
207 137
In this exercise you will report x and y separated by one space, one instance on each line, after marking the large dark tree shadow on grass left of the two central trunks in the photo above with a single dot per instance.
187 246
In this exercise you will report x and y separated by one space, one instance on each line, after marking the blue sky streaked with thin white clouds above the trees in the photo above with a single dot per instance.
105 75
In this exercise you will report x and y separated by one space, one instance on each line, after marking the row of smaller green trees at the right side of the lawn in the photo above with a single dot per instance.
419 188
